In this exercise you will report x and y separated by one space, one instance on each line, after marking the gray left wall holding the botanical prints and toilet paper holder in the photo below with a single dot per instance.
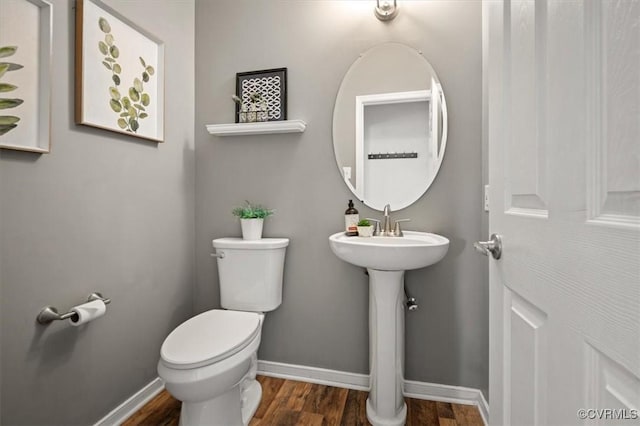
101 212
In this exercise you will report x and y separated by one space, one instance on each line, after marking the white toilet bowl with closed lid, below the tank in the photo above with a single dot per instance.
207 363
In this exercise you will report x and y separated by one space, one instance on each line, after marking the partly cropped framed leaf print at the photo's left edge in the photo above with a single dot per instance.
25 74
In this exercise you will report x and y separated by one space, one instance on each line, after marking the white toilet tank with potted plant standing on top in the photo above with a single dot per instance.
250 273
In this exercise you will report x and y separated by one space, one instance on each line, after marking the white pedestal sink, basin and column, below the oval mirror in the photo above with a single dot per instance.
386 260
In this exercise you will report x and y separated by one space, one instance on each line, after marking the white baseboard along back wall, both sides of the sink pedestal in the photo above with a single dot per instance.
341 379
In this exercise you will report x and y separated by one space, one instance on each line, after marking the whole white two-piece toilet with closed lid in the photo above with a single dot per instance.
209 362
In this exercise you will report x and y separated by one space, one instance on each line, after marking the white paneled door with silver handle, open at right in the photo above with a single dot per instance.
563 86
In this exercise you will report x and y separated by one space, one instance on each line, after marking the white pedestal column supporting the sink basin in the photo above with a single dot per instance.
385 405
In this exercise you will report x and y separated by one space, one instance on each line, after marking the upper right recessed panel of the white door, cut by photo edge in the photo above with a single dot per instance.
613 47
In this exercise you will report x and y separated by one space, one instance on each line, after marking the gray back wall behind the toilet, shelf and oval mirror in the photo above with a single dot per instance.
323 320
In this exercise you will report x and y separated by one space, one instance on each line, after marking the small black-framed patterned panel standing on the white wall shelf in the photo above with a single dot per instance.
261 95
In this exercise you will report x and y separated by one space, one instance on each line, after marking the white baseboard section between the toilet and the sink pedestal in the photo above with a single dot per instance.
322 376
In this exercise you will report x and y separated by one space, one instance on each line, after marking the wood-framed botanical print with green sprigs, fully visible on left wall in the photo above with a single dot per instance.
119 73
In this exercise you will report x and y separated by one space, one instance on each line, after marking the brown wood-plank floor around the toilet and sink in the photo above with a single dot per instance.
289 403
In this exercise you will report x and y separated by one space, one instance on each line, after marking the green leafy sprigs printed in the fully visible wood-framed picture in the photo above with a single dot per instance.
132 108
